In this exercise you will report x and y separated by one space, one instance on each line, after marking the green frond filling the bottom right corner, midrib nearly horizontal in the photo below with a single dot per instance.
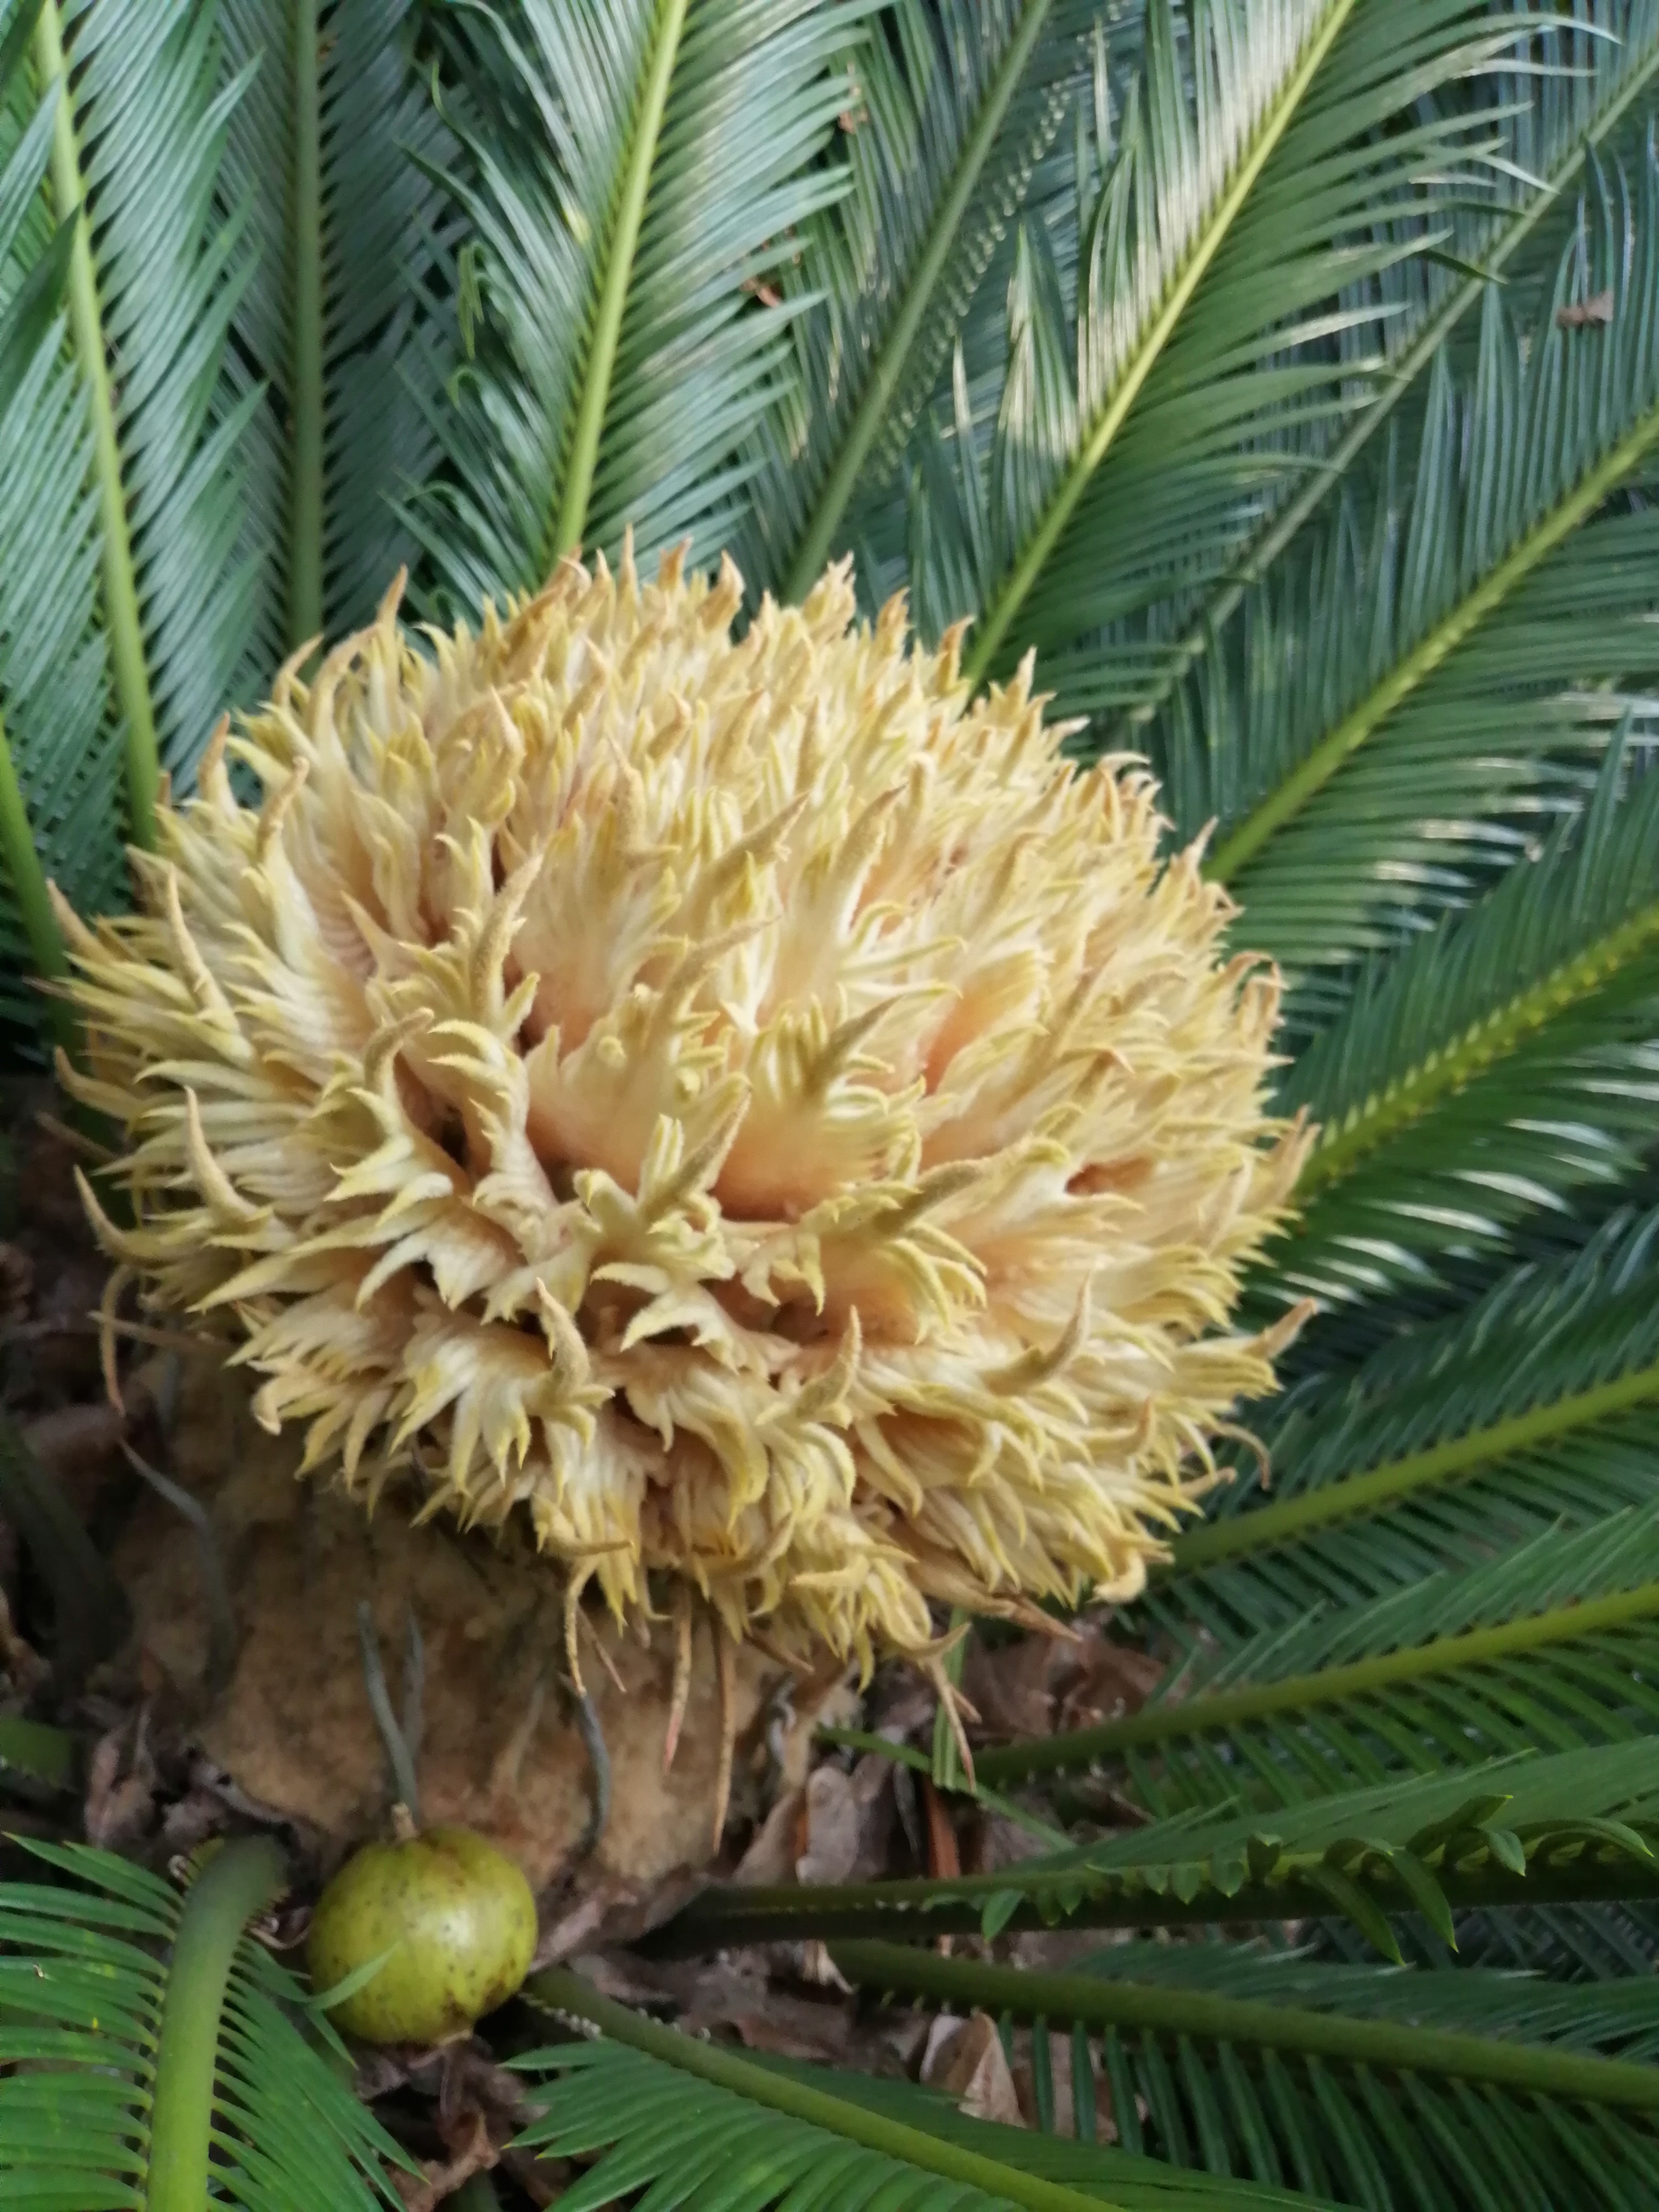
1375 2087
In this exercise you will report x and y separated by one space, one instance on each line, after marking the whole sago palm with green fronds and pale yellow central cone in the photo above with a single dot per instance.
1284 375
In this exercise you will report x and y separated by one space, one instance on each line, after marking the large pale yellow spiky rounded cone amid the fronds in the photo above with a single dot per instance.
738 1112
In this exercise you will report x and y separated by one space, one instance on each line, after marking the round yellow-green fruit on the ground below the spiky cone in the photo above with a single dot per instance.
459 1921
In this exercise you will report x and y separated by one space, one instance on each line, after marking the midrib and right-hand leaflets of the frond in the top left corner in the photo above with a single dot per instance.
152 289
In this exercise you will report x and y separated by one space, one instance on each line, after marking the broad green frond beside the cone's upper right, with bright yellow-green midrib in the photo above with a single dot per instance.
1457 645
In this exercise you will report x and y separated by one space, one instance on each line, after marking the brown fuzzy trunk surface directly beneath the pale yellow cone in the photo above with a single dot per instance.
501 1746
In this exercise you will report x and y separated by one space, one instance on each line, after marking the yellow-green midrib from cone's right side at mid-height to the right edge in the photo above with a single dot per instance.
1421 1087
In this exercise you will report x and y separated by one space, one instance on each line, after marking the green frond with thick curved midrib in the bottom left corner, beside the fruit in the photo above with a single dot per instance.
152 2056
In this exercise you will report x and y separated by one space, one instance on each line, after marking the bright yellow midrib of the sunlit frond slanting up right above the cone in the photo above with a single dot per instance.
1063 503
